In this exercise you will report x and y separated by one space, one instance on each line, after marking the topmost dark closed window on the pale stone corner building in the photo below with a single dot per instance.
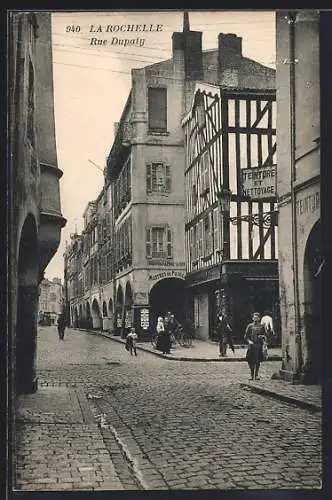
157 109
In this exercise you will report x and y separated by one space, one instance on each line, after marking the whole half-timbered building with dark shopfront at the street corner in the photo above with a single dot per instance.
231 219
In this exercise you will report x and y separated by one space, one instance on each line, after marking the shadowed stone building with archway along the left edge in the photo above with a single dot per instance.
35 211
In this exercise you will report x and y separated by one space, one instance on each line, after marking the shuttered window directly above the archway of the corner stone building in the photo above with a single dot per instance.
159 242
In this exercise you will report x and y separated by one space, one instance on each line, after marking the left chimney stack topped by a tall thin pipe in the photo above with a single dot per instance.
187 51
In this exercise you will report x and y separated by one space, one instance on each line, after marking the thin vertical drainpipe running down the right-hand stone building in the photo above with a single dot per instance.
292 95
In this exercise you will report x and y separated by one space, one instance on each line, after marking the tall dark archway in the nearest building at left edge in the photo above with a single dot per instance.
27 308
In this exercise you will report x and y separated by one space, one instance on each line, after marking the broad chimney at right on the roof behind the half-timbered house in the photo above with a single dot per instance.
229 56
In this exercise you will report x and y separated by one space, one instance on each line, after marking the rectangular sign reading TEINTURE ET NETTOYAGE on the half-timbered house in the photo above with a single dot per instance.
259 182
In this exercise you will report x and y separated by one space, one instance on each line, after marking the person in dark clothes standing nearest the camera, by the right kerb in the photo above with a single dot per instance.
254 336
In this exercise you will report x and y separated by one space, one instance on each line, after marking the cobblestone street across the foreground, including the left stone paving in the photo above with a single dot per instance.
166 424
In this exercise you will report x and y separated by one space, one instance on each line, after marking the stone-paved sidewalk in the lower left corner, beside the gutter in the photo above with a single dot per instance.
51 423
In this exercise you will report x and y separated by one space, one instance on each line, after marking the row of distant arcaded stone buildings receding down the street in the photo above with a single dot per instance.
89 268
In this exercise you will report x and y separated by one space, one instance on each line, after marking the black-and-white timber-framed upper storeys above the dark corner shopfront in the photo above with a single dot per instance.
225 132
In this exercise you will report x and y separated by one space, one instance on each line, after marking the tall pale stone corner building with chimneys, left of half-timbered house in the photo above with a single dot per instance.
145 177
